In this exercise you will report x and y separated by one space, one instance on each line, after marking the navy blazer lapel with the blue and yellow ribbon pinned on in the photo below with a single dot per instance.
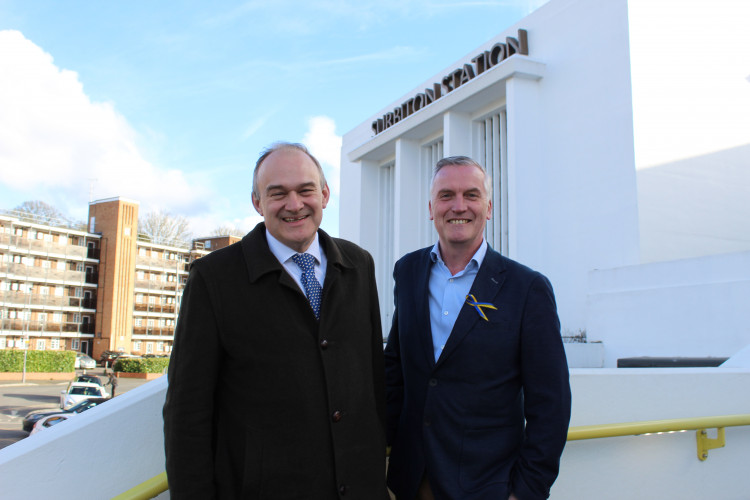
486 285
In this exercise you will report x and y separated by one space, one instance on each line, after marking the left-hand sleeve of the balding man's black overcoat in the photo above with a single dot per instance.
189 407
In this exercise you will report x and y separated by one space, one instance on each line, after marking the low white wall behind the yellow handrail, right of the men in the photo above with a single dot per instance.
656 467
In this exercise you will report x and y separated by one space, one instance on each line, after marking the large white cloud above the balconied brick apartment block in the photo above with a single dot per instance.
55 143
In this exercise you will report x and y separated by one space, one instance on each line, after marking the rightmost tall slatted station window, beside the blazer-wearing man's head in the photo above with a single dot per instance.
491 146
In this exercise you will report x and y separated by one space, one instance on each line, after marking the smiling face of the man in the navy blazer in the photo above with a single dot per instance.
460 207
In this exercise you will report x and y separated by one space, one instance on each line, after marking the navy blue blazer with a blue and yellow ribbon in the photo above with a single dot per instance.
491 416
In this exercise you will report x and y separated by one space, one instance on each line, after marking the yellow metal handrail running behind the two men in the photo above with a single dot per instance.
156 485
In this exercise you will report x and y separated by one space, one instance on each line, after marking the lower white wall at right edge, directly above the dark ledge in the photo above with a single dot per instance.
691 307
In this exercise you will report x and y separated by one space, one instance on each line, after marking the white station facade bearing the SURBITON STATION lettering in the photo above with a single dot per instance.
571 176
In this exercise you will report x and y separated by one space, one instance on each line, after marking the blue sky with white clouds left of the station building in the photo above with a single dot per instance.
170 103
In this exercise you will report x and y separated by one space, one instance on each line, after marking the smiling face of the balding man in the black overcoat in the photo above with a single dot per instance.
291 198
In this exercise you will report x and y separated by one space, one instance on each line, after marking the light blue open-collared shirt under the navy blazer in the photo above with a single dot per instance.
448 294
